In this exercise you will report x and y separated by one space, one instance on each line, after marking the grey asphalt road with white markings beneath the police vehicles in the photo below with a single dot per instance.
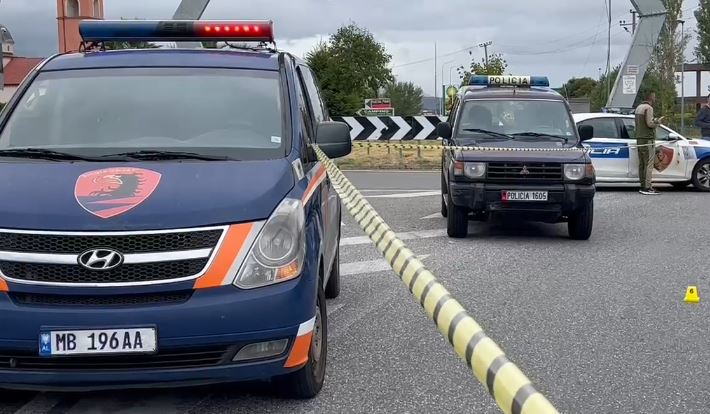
598 326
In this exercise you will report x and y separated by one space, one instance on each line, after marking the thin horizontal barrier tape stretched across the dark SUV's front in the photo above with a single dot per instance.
385 144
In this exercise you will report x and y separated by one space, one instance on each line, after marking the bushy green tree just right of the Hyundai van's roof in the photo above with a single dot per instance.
351 67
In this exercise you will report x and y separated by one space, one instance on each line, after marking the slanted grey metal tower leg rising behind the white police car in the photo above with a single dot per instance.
652 15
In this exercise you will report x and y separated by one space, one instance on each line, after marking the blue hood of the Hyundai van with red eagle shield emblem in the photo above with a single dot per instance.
85 196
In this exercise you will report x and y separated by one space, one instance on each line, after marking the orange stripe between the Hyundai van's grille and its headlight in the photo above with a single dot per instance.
229 250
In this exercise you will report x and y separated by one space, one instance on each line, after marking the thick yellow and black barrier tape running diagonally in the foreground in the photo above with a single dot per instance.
511 389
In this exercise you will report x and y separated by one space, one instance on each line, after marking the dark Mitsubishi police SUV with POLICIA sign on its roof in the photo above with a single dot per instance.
527 161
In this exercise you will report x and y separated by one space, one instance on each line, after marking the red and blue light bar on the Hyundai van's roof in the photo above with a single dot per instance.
177 30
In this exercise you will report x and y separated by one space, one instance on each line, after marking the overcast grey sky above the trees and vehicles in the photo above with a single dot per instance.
558 38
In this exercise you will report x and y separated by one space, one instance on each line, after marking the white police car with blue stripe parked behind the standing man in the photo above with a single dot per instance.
679 161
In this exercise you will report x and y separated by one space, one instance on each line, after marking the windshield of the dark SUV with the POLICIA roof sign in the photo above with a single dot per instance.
516 119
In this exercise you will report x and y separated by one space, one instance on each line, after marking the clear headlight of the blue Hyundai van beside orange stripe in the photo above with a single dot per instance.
278 252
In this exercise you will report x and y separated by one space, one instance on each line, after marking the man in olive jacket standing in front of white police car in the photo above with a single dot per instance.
646 126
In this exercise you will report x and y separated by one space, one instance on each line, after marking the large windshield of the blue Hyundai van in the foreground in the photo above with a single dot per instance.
225 112
